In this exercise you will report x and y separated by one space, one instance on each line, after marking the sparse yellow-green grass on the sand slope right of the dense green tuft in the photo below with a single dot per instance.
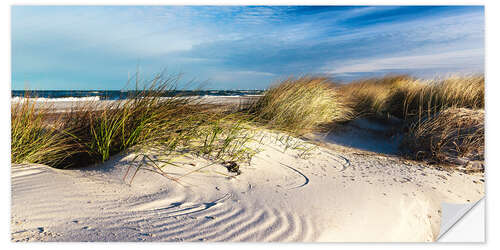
220 138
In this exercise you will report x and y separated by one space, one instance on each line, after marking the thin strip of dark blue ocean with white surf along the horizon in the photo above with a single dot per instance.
72 95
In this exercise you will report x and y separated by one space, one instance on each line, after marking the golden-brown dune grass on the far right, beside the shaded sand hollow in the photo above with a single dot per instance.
442 116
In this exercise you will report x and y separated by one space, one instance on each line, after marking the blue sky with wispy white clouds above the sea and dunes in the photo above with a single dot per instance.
239 47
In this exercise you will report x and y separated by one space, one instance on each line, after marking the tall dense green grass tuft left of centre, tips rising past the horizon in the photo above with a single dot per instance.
104 130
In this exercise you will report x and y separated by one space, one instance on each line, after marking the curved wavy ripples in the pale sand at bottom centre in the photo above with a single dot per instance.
215 220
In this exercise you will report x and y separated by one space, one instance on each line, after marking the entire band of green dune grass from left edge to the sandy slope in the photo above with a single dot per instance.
152 117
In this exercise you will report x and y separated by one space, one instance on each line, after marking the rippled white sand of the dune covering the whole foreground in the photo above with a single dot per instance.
337 194
